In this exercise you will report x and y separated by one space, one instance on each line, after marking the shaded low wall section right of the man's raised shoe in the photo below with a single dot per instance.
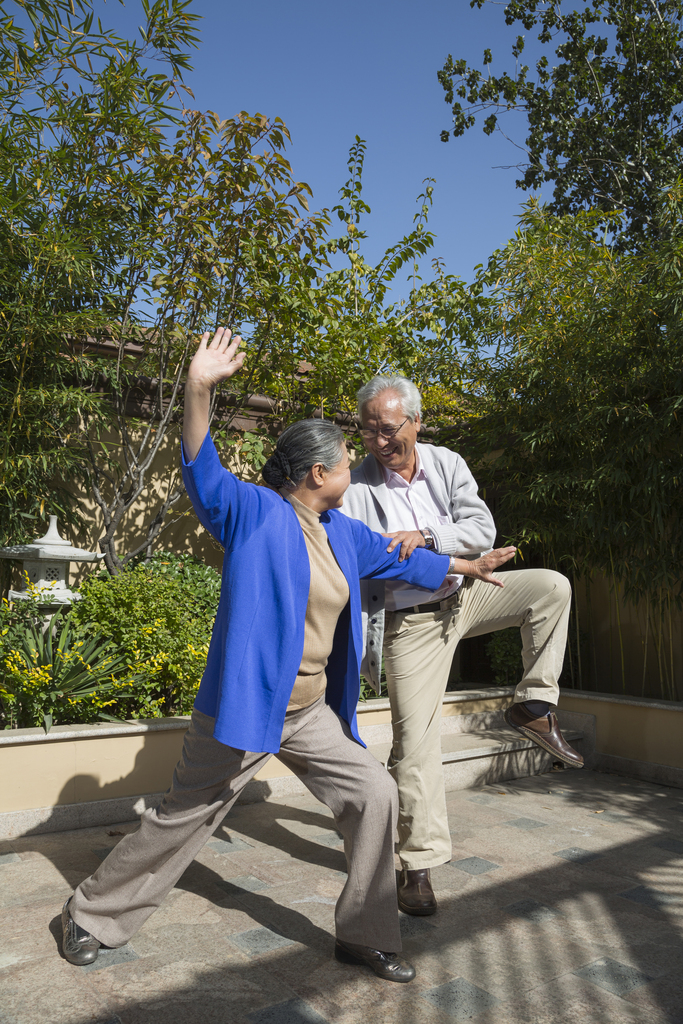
634 731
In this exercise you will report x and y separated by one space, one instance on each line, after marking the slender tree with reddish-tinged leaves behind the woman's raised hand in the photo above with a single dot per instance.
227 245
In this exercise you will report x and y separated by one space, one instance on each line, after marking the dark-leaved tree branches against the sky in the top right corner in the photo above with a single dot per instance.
605 109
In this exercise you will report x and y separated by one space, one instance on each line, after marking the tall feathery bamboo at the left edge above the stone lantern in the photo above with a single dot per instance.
80 117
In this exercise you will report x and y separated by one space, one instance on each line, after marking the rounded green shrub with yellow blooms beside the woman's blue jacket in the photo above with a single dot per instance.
159 616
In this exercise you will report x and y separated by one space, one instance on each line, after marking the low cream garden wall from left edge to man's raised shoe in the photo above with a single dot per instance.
81 776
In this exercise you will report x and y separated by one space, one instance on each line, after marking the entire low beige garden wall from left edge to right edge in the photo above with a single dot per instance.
82 776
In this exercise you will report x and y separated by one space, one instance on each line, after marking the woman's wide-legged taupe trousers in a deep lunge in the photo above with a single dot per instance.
318 747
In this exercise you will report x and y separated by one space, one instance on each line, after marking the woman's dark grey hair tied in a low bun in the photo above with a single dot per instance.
301 447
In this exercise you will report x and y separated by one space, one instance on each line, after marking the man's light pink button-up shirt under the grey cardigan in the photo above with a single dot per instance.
414 506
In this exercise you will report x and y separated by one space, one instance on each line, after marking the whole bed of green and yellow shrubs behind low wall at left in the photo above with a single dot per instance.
135 647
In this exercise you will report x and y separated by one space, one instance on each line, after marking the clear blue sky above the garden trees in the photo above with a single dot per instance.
333 71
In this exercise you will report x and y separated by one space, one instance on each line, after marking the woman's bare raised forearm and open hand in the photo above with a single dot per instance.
211 364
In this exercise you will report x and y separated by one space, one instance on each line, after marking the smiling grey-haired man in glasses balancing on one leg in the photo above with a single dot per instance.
419 495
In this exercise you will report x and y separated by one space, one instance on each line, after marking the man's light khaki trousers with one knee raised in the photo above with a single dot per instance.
418 655
